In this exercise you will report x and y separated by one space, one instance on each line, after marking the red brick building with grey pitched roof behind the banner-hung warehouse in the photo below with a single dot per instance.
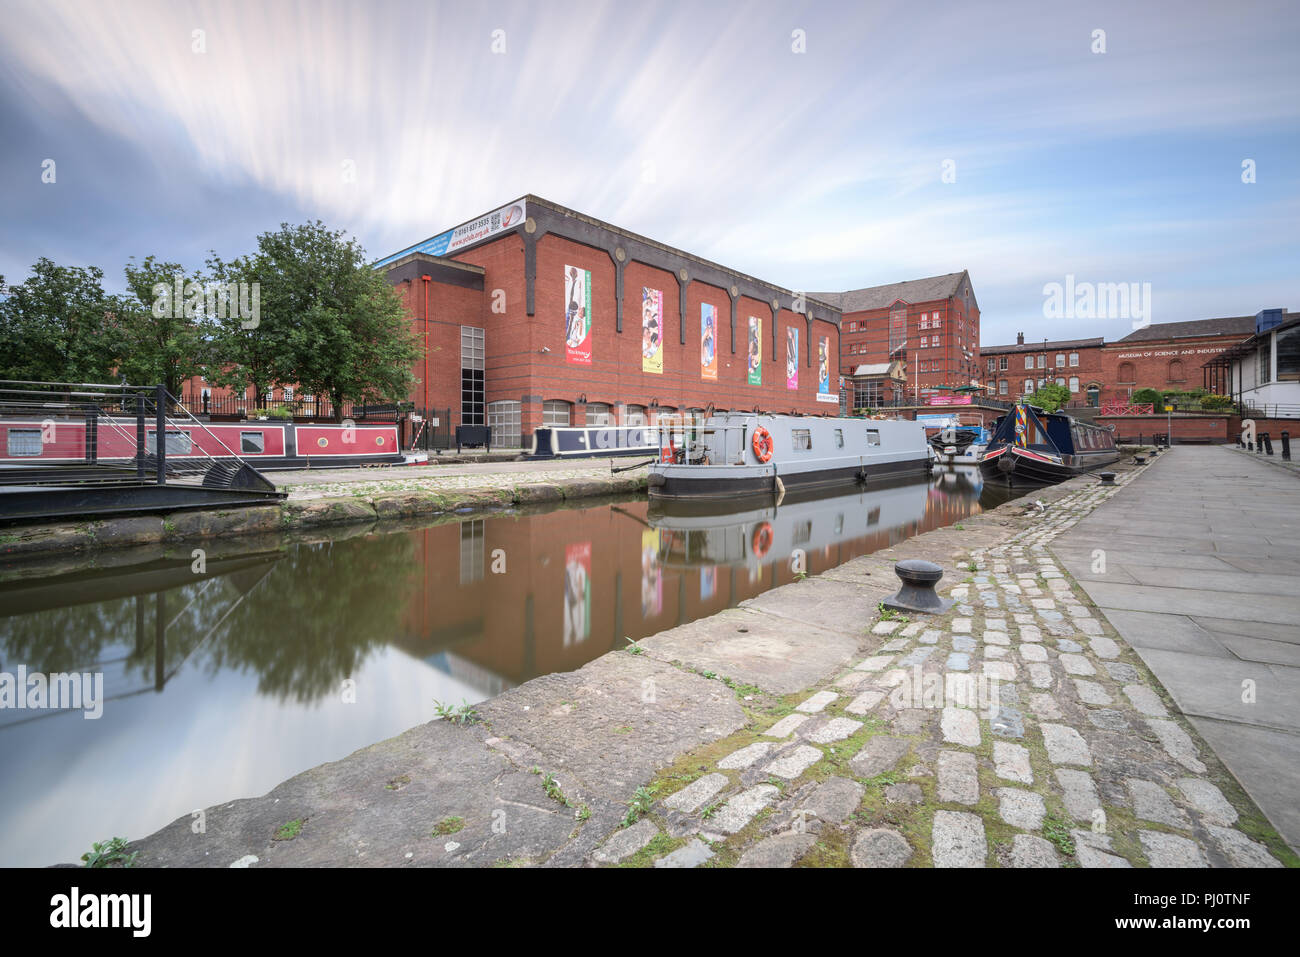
931 324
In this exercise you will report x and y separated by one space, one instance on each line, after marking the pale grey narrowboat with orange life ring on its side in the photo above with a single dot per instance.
736 454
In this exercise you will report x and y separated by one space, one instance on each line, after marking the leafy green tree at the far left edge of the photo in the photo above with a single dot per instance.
57 327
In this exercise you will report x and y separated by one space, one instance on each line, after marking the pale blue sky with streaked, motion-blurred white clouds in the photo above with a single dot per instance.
824 146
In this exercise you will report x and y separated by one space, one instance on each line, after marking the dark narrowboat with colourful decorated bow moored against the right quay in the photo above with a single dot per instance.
1033 447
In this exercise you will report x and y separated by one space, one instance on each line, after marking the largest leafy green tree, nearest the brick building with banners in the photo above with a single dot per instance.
340 328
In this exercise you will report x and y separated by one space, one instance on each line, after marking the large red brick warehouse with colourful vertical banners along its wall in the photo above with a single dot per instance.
501 305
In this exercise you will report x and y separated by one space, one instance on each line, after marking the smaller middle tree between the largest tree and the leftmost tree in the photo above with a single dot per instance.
164 336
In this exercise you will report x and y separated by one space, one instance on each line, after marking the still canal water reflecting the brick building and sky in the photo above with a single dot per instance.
220 683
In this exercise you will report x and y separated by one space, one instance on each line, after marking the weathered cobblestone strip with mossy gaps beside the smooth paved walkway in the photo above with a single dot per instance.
1015 731
